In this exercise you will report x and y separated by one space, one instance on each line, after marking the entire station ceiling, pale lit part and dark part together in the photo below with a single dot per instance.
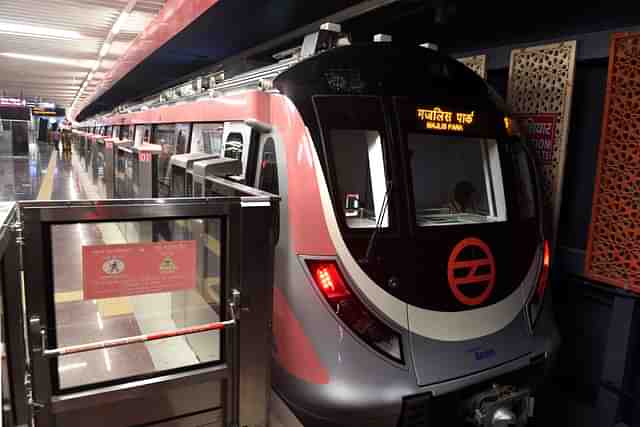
237 32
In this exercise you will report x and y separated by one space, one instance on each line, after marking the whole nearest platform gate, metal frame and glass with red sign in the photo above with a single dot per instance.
206 268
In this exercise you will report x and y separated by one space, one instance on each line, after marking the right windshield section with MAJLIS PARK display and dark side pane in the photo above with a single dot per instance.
474 160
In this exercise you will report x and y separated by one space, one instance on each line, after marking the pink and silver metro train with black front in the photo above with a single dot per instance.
412 261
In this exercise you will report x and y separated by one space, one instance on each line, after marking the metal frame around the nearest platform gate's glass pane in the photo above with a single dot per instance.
240 383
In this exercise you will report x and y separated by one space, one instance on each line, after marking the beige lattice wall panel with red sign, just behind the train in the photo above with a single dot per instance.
539 93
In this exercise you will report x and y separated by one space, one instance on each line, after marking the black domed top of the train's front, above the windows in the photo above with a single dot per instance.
387 69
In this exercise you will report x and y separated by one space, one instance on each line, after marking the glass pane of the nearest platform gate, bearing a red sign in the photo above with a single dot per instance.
134 297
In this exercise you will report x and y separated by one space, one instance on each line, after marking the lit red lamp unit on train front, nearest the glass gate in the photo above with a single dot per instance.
352 312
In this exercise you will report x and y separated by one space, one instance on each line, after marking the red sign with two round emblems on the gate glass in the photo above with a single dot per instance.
138 268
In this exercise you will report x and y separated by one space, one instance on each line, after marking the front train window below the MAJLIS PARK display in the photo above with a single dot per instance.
454 178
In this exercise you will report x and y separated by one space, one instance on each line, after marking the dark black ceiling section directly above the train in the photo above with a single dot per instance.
246 30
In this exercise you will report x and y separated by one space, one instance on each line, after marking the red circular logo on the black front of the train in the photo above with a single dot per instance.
471 271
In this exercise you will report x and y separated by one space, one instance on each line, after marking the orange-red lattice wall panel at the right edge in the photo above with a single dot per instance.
613 248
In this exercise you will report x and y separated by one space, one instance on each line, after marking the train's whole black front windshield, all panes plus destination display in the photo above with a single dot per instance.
453 162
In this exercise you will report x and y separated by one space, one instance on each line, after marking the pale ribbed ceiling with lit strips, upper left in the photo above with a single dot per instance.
48 49
